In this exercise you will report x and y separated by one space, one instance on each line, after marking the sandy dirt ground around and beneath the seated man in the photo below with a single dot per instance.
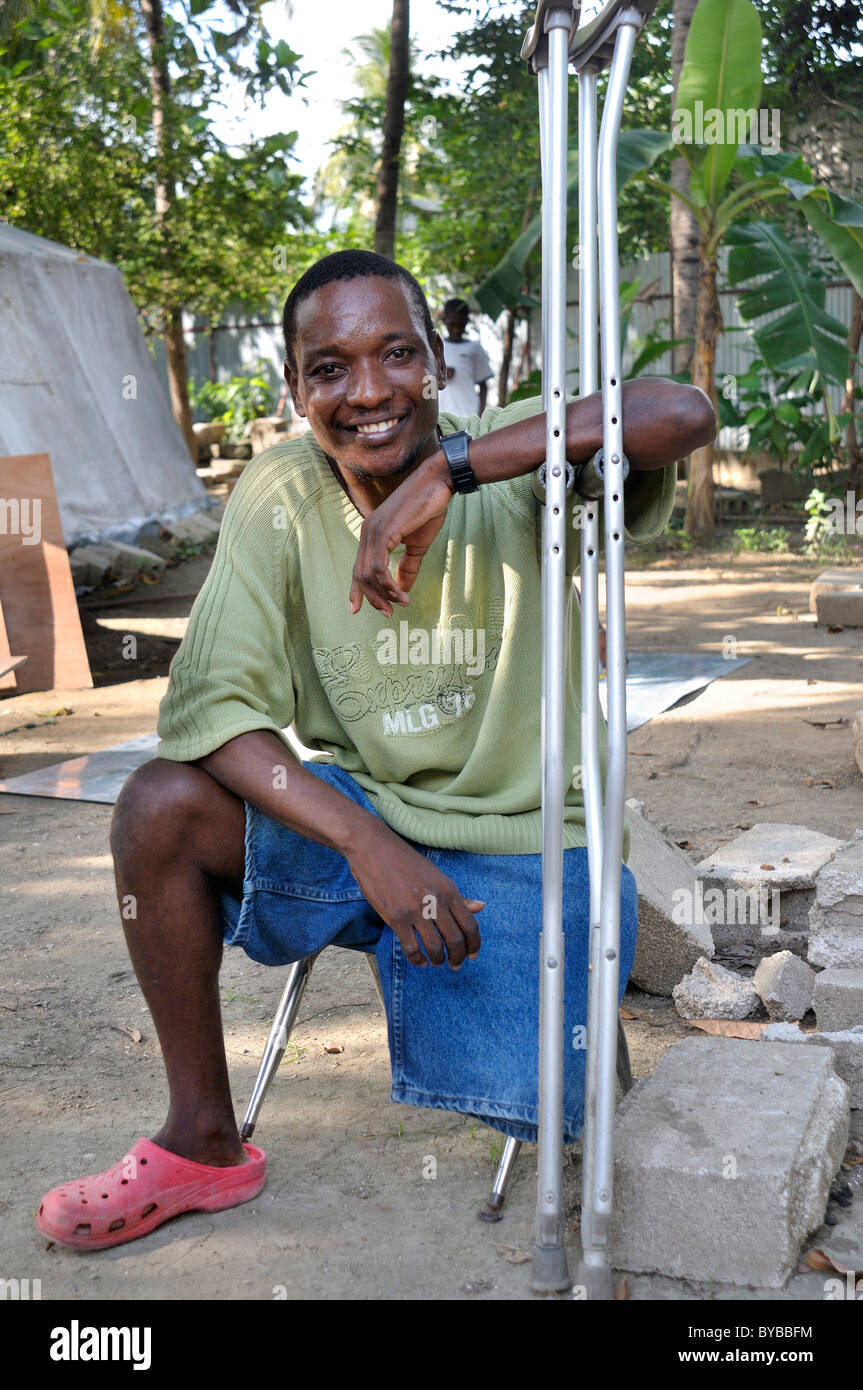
350 1210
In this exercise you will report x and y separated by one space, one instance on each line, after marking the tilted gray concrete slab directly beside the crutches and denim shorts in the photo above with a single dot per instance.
669 940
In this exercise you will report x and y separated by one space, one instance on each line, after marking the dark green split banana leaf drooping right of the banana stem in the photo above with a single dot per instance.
779 277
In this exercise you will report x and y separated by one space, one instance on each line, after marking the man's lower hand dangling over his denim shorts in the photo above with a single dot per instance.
416 900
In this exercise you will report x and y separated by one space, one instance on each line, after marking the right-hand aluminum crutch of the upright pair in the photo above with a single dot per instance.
609 38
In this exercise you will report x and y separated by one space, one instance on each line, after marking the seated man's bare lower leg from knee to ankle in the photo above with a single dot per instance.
179 840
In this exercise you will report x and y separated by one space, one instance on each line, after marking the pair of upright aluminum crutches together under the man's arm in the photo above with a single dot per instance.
548 48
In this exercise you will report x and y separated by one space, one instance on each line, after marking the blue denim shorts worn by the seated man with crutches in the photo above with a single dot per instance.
459 1040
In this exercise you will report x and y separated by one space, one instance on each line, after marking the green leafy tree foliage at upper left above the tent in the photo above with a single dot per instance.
77 158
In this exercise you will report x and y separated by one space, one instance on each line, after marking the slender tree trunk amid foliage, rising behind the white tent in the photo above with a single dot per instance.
166 193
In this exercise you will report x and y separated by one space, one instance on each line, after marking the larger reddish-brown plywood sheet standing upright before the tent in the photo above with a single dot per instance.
37 590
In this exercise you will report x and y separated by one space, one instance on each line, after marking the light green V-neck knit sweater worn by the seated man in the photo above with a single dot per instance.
434 712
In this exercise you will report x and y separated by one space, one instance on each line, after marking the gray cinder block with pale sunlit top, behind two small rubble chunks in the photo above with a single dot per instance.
764 886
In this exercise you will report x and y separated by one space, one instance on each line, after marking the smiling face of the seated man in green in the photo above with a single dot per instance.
366 377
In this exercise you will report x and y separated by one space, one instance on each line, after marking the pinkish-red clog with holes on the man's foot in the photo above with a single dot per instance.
145 1189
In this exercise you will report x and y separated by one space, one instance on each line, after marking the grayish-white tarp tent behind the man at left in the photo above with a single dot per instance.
79 383
